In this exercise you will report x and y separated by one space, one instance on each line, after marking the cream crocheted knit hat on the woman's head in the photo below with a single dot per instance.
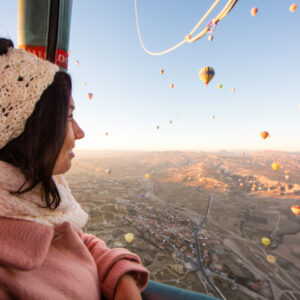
23 79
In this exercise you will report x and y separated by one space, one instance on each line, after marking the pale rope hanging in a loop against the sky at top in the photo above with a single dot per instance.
188 38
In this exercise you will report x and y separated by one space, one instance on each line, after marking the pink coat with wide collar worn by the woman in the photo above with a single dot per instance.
39 262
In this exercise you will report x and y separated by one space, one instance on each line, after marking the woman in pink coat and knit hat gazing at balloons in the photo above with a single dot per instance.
43 252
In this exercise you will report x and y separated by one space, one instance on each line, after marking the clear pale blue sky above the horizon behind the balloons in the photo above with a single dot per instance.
258 56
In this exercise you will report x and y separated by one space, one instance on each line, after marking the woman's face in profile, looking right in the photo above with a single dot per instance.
74 132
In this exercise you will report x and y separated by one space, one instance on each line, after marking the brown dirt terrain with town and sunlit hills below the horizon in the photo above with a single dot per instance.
249 201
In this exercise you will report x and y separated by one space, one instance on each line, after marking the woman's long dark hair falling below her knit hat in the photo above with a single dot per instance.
36 150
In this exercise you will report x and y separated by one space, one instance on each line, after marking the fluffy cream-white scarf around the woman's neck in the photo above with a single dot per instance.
29 206
